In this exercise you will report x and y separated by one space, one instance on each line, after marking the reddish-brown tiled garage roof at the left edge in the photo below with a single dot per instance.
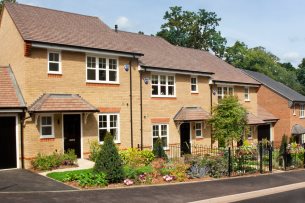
10 94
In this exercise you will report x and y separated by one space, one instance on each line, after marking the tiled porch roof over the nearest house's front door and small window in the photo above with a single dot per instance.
61 103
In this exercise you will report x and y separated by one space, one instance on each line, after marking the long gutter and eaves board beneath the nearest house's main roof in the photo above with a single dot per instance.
85 50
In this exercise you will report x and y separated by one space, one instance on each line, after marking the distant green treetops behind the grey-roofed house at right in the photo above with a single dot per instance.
260 60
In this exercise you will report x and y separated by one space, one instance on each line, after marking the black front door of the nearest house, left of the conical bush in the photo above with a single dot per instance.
72 133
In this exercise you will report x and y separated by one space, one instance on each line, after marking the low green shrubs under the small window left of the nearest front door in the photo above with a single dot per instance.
48 162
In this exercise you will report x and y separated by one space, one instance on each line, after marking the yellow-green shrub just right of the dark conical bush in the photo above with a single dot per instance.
135 157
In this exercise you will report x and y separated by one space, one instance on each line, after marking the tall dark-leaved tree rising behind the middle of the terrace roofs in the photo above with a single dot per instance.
193 30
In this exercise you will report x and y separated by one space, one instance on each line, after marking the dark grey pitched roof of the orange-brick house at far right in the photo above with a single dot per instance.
278 87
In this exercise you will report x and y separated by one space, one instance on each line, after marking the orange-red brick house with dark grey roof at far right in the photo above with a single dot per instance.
284 103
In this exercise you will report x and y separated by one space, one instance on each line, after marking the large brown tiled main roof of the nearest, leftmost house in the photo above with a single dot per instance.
62 28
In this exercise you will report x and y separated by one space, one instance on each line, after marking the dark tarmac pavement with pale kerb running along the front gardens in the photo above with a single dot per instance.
184 192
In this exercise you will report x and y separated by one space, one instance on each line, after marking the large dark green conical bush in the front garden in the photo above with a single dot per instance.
109 161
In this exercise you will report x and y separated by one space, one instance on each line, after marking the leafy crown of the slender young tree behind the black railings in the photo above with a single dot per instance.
229 119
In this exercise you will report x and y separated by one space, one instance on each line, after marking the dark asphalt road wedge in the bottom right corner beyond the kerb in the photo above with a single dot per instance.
295 196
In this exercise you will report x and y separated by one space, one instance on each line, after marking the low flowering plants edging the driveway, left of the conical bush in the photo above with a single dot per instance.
87 179
